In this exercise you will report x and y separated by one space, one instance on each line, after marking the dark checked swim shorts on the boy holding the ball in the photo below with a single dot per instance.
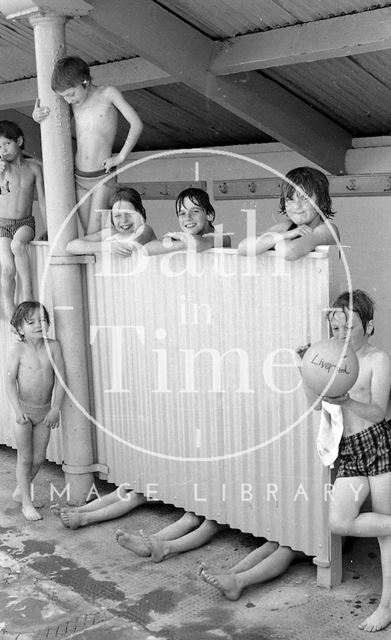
367 453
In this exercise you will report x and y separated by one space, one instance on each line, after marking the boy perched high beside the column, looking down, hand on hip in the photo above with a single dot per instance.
95 110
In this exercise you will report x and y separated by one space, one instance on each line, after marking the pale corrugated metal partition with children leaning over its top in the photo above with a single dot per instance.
198 399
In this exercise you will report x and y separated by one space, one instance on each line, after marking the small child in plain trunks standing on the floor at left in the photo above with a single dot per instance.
35 393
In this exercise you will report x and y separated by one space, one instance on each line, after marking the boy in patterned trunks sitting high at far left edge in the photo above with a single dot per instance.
18 178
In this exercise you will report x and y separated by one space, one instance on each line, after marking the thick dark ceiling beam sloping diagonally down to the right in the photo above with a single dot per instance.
185 53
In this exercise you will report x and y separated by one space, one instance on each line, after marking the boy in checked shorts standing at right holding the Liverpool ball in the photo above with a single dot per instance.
365 446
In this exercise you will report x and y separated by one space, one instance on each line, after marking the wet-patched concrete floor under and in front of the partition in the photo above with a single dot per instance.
58 583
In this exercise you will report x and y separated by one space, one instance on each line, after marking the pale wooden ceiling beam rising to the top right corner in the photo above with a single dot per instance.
323 39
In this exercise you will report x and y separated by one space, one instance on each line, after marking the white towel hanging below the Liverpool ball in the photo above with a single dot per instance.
330 432
